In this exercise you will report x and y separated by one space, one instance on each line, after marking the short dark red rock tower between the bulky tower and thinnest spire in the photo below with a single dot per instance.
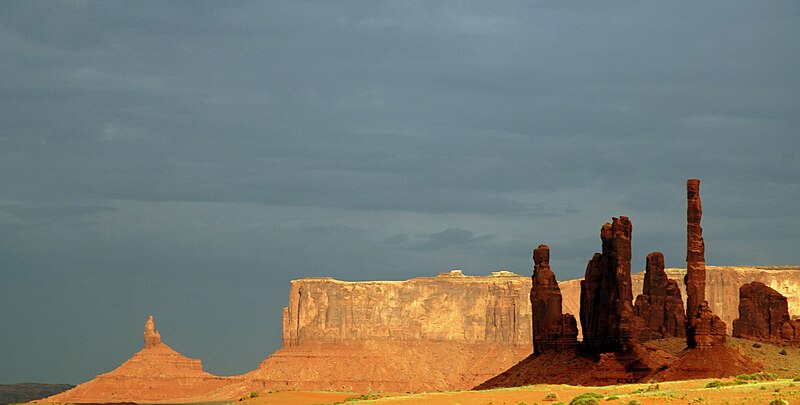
660 305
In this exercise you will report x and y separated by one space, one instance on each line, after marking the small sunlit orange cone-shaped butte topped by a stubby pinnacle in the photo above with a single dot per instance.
155 373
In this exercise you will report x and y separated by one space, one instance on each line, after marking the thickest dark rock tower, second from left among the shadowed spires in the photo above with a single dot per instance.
606 311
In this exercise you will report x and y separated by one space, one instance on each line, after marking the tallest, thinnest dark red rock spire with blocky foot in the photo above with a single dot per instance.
703 328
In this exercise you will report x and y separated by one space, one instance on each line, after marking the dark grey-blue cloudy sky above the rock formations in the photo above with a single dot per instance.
189 159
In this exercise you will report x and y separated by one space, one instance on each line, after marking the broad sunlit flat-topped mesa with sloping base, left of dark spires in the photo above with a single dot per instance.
380 335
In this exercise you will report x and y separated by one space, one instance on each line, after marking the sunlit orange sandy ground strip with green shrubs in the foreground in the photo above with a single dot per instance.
676 392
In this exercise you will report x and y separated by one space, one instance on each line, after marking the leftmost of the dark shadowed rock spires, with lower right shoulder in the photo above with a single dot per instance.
552 330
